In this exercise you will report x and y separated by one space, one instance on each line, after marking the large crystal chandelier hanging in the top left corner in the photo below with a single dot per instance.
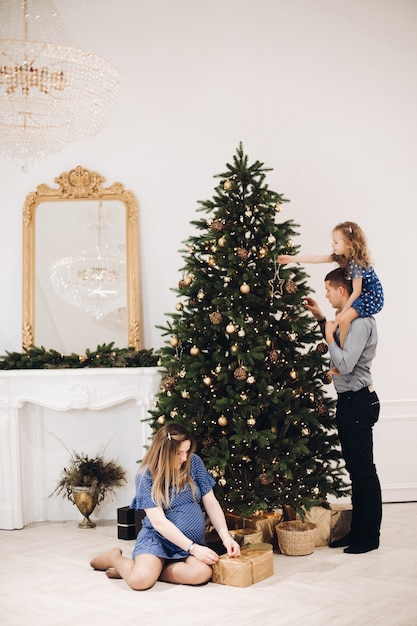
51 92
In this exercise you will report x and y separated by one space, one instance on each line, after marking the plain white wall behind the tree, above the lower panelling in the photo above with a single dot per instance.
323 91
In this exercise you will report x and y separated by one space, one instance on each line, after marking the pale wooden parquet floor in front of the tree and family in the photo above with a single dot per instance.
45 580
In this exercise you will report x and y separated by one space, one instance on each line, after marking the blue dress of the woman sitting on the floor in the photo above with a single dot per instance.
185 512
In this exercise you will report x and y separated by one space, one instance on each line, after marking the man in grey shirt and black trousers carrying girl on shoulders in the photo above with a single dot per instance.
357 410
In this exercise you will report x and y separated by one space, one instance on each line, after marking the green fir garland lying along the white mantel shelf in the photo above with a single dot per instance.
106 355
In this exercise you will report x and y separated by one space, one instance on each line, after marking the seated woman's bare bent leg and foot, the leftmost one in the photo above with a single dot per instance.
142 573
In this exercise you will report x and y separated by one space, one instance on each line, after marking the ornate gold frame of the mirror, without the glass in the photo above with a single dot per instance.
81 184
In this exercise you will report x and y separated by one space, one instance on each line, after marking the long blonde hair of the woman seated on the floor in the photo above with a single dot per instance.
162 461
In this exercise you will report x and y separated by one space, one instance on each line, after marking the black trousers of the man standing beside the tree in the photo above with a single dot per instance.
356 413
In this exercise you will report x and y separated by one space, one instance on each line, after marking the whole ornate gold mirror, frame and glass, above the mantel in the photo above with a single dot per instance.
81 283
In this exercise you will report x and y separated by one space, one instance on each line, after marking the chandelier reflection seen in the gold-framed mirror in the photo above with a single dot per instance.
94 282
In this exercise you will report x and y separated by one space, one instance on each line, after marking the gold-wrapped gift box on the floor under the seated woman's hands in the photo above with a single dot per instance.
250 567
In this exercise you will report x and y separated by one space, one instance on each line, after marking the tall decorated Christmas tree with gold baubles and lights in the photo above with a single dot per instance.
244 362
